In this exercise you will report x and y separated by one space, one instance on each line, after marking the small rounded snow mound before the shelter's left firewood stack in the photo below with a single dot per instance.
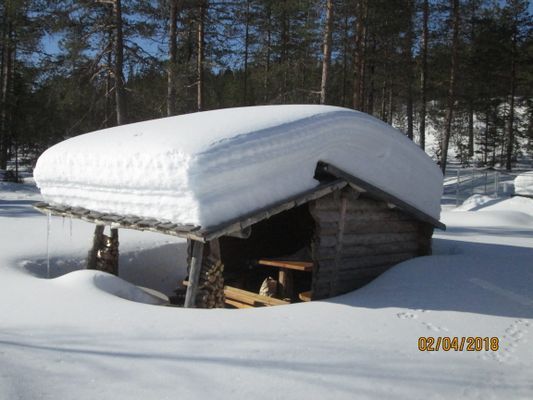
110 284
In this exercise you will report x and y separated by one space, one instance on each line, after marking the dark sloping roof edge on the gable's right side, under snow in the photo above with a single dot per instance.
324 169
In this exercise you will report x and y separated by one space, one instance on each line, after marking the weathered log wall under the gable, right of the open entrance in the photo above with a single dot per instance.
358 238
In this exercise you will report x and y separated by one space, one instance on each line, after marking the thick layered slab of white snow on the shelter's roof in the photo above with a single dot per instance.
209 167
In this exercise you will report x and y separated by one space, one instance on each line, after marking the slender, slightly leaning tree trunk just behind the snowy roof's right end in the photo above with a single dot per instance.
451 87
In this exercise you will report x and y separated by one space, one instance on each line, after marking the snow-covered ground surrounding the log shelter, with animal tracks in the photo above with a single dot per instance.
76 336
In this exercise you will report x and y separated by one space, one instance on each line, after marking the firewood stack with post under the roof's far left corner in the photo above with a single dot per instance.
104 254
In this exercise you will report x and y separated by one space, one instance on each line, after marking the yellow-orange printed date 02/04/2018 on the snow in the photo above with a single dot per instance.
470 343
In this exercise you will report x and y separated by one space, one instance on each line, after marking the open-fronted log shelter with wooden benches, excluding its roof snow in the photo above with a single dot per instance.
320 243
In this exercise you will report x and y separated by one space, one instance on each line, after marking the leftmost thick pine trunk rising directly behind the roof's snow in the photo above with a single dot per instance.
119 65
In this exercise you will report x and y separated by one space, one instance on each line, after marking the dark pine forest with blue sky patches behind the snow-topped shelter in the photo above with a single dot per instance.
460 67
